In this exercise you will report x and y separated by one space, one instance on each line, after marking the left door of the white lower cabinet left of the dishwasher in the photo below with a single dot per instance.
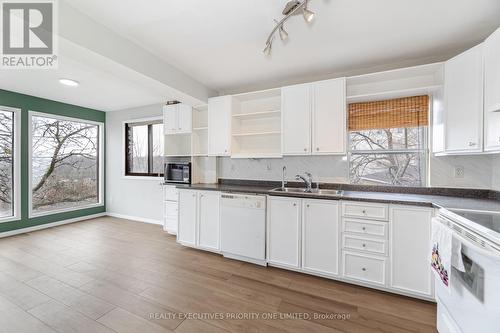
186 233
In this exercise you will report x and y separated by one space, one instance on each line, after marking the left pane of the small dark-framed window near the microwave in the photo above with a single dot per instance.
137 149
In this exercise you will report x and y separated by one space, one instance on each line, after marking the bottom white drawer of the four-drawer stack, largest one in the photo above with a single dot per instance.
365 268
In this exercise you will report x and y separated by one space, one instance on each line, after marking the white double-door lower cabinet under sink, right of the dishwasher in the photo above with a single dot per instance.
303 235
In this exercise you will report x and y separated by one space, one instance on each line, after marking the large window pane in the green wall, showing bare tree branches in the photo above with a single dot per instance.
64 164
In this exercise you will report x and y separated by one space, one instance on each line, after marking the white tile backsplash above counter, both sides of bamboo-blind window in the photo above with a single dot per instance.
480 171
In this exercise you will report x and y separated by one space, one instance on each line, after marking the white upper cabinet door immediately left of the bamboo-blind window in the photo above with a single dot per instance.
329 117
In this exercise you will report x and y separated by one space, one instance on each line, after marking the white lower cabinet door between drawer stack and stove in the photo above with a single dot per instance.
410 237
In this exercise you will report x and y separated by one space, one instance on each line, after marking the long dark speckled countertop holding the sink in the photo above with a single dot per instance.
465 199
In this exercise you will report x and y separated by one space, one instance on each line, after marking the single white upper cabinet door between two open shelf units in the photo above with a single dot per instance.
219 126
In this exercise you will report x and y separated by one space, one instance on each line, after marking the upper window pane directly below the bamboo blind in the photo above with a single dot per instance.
391 139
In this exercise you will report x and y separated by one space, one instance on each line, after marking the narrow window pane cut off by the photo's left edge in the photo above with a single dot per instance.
6 163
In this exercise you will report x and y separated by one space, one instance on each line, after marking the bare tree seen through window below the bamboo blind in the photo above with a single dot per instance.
395 156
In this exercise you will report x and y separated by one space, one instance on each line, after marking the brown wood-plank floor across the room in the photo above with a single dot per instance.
113 275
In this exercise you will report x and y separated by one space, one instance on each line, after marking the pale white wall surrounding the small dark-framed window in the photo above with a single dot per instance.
139 199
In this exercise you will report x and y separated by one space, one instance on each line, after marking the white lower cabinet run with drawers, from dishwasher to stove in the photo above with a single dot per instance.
387 248
